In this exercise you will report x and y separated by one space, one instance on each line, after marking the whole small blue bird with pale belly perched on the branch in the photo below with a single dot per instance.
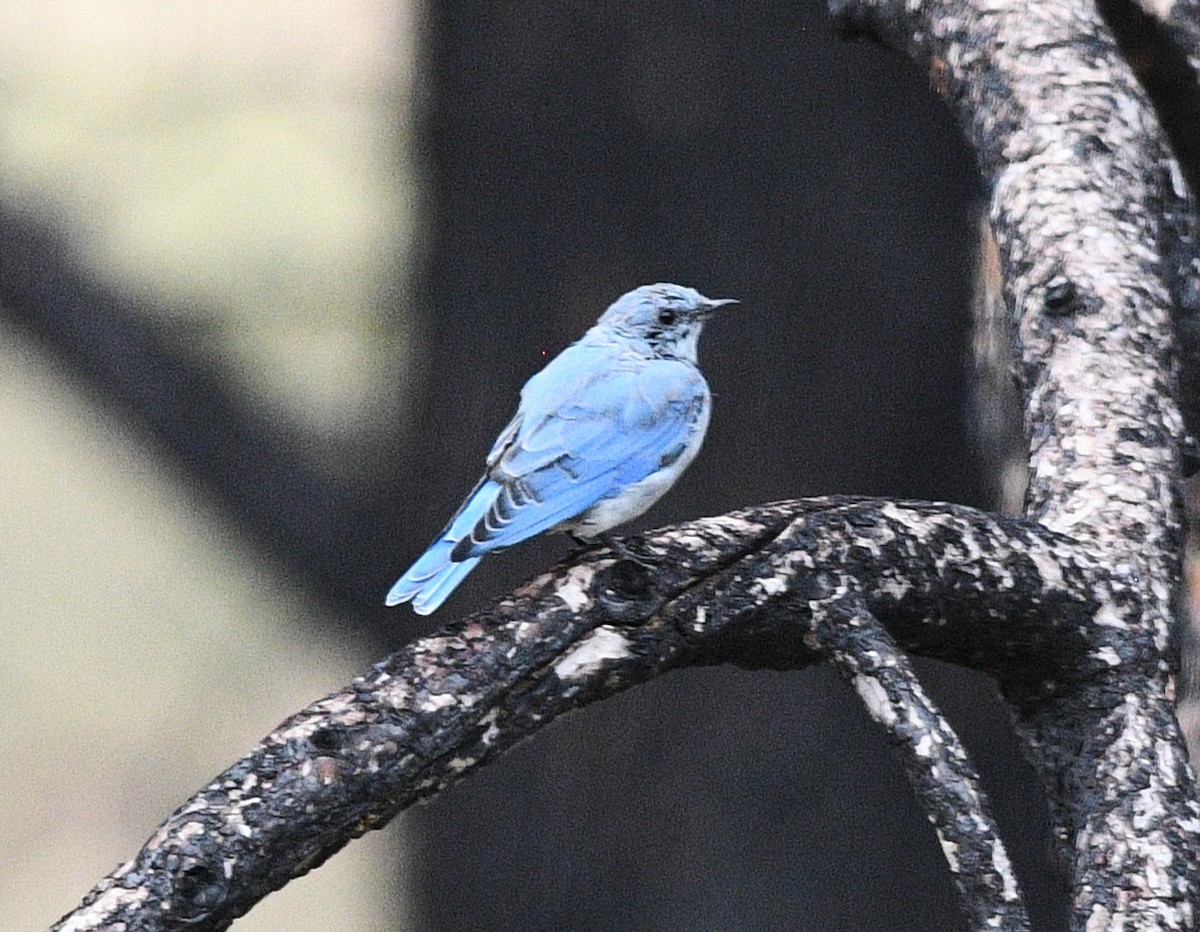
601 435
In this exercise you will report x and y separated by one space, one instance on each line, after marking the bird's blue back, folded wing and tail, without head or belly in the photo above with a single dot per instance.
590 425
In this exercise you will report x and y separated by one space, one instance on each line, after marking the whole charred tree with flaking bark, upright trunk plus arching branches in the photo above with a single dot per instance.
1070 608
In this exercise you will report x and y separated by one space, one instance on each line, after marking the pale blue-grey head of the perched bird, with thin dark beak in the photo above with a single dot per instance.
667 317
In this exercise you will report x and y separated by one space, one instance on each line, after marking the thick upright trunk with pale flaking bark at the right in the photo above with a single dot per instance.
1087 219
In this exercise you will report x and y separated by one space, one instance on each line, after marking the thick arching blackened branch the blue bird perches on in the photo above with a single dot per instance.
1003 596
